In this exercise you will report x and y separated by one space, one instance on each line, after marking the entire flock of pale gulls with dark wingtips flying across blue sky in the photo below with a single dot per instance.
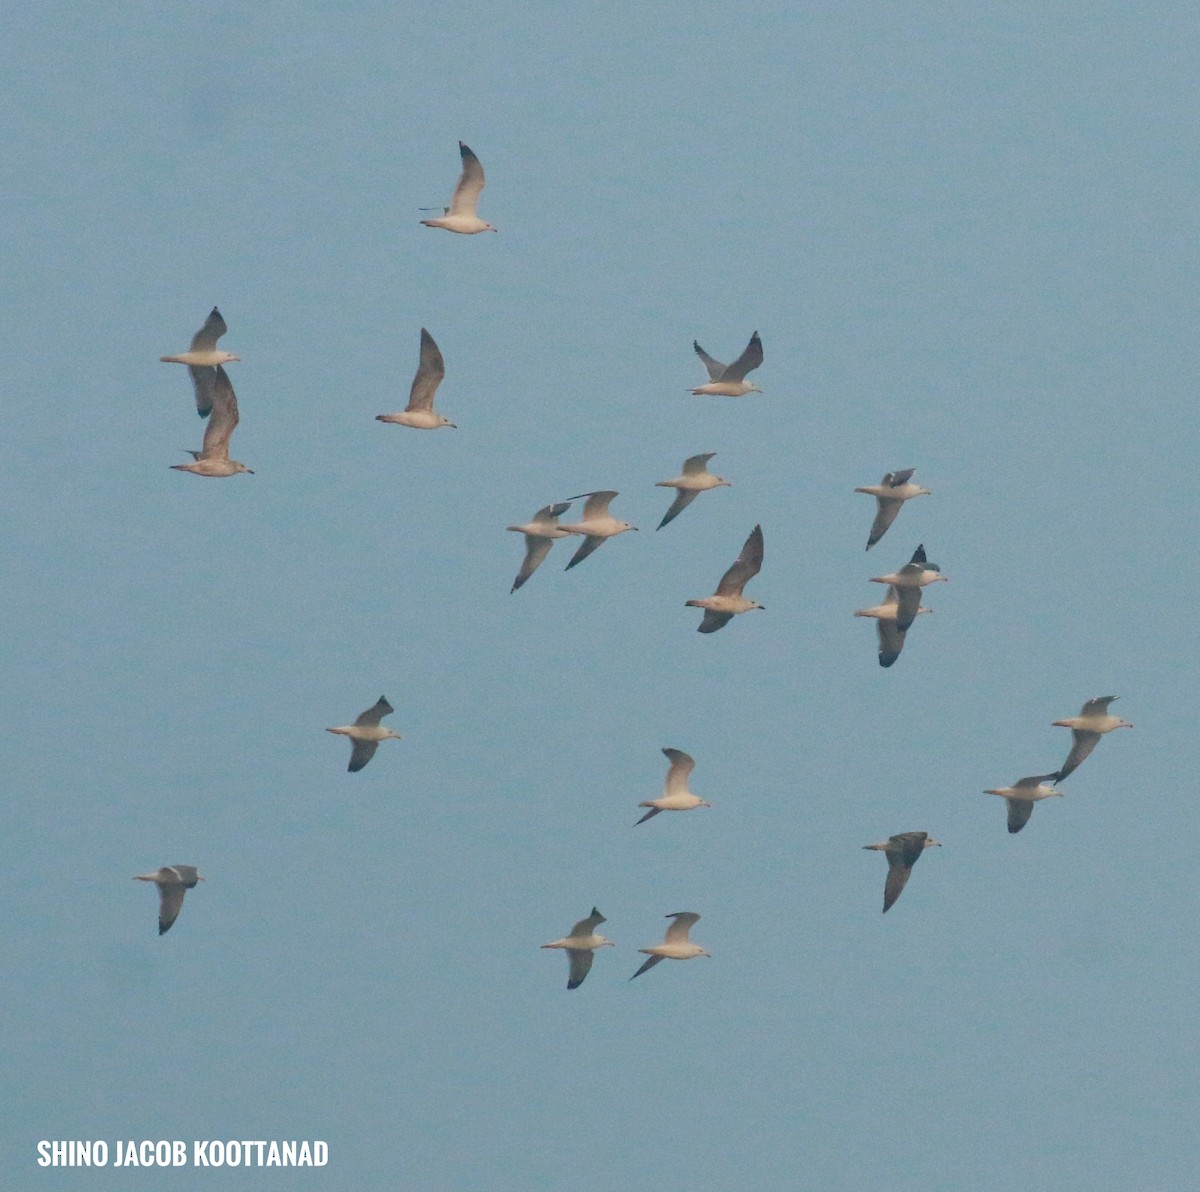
895 616
